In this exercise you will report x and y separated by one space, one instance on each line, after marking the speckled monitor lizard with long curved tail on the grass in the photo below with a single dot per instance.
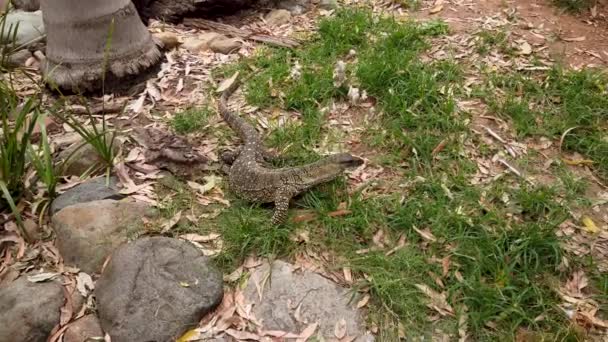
251 178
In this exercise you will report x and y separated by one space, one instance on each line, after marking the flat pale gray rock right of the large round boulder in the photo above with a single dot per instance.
320 301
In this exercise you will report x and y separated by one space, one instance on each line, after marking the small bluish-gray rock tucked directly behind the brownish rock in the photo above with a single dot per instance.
92 190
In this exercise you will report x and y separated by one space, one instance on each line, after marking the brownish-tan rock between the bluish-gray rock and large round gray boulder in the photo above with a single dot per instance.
88 232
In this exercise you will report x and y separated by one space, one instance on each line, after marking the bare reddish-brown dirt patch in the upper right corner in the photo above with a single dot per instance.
577 40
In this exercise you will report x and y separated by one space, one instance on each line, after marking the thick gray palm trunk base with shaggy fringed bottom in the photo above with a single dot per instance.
79 33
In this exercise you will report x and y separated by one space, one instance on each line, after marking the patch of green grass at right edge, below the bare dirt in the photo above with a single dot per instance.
553 103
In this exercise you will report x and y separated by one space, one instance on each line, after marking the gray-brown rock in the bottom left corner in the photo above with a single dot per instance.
29 311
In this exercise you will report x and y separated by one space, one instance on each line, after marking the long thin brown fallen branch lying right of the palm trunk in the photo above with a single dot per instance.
237 32
